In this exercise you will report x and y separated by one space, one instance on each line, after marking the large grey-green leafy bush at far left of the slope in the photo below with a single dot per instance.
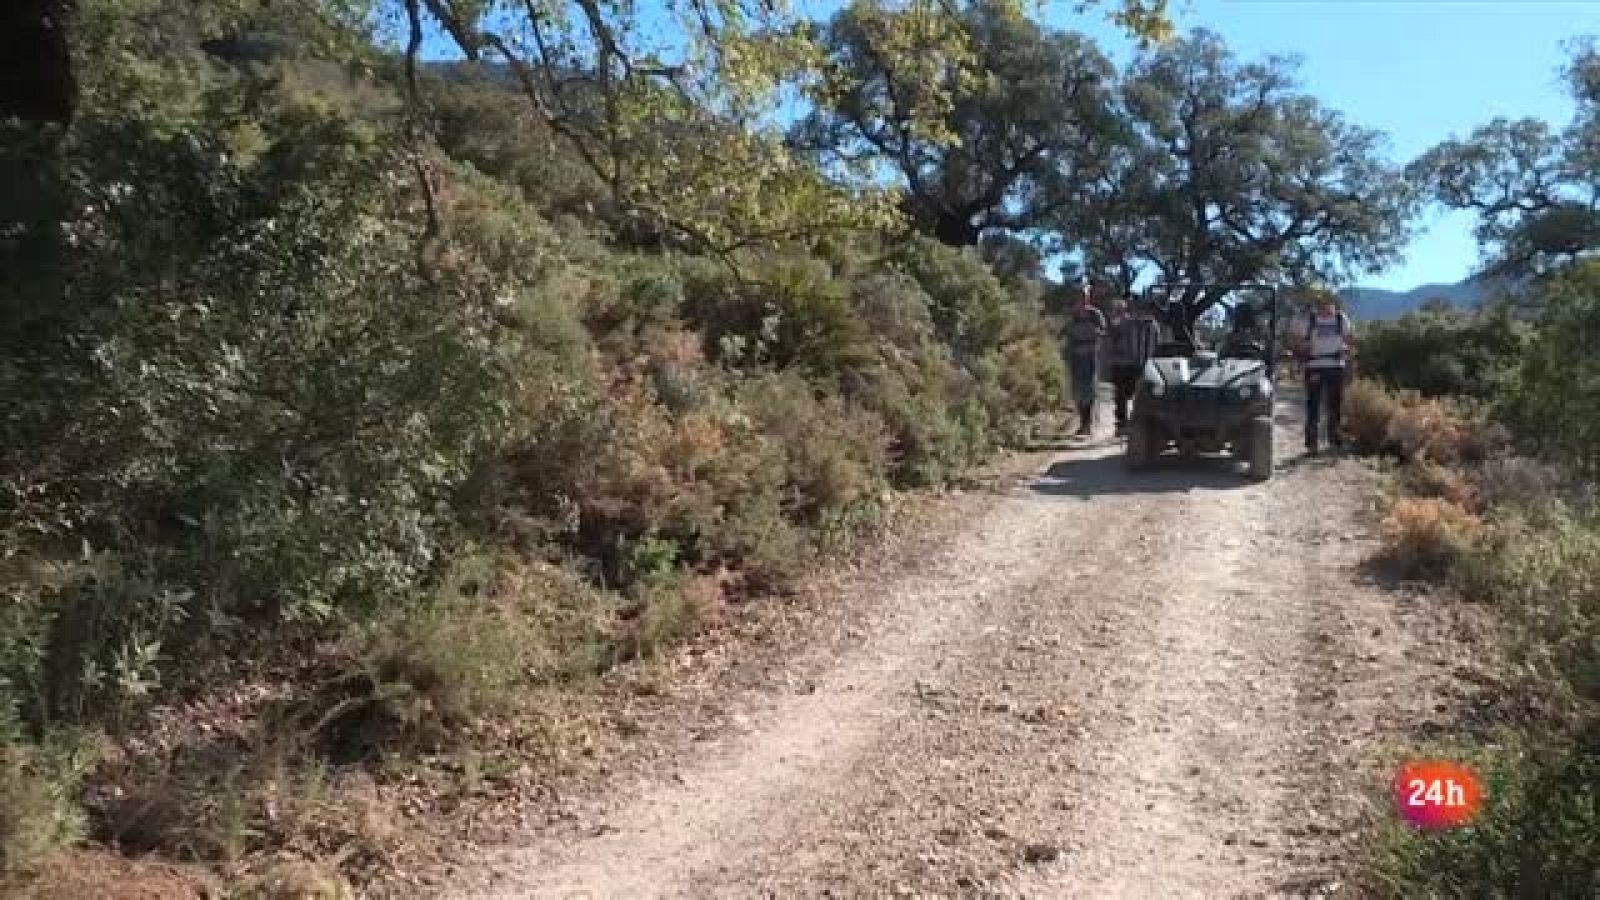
258 408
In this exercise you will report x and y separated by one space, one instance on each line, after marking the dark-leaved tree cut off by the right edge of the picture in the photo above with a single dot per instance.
1537 191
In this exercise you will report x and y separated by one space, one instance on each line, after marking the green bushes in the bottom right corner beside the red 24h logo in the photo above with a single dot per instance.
1537 563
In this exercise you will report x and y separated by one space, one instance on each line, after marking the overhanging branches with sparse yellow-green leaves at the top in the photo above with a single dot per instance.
671 103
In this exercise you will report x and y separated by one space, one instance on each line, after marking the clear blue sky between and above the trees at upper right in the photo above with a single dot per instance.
1420 71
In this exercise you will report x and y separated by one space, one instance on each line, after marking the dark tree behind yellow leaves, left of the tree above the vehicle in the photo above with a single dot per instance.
978 143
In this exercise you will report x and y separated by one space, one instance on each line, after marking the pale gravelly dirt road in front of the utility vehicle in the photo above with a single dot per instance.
1098 686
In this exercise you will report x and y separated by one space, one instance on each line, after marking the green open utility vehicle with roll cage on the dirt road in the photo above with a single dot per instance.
1210 384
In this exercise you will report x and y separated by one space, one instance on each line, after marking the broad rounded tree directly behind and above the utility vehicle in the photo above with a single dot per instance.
1231 175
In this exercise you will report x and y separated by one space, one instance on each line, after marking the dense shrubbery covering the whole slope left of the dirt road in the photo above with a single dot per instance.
265 416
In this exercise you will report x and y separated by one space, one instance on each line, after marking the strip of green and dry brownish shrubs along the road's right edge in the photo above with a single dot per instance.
1521 536
